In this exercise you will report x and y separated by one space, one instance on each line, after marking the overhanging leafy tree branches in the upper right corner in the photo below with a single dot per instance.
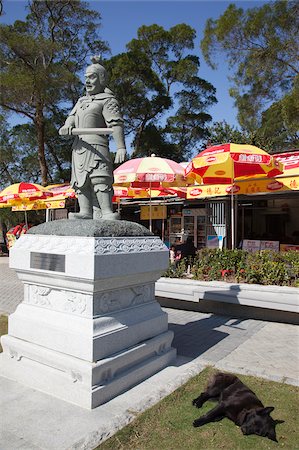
262 46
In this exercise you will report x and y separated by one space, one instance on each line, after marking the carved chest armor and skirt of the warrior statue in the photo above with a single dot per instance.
91 152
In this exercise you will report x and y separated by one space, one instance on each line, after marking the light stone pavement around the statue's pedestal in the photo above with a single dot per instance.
34 420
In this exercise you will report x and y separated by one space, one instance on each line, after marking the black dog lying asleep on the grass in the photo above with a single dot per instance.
239 404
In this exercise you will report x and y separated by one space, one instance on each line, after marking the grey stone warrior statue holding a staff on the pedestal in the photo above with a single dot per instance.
92 169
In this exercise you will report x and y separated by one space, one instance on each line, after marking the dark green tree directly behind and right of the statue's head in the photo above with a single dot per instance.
157 82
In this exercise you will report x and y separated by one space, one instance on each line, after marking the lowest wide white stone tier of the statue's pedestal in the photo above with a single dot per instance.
81 382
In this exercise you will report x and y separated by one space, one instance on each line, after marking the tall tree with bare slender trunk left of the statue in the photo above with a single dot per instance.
40 60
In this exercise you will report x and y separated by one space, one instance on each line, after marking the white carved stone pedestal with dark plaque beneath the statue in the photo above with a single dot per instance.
89 327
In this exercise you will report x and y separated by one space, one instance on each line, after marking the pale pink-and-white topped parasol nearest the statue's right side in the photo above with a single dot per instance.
151 172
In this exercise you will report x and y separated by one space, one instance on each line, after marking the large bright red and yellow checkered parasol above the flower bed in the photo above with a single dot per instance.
223 164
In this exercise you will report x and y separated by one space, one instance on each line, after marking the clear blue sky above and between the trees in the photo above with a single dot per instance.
121 19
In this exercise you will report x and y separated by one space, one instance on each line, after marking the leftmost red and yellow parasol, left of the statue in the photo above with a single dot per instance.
23 192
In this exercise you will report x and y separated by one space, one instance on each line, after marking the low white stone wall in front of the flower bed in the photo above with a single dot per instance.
276 303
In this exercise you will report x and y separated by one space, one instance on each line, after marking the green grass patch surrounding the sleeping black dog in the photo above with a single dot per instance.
168 425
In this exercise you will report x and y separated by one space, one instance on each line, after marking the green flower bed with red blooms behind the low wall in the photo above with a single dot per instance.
238 266
